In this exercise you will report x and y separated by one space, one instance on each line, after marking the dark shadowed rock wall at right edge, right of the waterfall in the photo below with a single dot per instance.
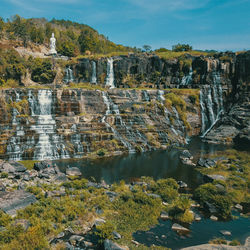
234 127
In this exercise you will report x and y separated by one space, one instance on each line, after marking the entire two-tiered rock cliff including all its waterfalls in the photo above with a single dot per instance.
212 101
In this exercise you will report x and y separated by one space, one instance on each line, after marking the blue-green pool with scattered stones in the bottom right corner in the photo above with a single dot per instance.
200 233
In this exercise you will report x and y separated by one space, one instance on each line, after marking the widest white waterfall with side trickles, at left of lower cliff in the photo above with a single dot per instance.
48 145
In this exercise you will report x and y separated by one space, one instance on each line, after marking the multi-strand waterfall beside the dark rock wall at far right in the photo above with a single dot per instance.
211 102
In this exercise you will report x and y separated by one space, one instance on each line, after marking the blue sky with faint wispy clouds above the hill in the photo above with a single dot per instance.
205 24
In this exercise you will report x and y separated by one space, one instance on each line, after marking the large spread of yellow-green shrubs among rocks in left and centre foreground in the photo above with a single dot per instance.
131 210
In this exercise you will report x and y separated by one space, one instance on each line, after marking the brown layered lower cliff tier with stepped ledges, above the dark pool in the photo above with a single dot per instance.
46 124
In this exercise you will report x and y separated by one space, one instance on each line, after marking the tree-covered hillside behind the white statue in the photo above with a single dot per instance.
72 38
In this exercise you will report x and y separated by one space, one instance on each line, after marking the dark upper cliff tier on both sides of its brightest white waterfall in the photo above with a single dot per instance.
152 71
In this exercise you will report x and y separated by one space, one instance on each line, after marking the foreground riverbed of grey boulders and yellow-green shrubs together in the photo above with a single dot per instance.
88 215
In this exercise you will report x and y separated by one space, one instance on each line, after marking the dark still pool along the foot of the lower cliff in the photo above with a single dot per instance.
157 164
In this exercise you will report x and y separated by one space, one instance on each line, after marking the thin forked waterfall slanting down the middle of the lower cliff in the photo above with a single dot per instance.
113 108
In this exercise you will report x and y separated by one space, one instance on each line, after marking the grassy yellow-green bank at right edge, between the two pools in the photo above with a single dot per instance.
235 189
